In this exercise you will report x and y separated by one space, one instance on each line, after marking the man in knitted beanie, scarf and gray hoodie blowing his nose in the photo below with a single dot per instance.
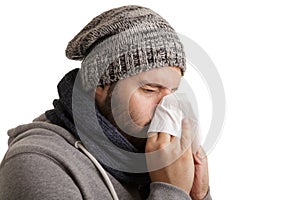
93 144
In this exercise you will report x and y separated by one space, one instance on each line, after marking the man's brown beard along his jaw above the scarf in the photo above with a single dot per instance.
124 121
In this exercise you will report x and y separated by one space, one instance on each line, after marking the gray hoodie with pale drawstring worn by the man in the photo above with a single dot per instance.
42 162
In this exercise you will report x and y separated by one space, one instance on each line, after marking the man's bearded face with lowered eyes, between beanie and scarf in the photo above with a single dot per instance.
130 103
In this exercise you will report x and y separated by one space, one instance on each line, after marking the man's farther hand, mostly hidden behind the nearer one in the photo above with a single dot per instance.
201 180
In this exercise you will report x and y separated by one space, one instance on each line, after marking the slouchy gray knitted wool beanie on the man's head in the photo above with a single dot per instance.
123 42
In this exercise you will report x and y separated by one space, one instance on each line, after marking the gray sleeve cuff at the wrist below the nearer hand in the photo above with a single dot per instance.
165 191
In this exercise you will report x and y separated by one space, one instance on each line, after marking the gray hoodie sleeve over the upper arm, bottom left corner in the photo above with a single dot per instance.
35 176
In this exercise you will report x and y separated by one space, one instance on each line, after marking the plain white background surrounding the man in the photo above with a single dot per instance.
255 46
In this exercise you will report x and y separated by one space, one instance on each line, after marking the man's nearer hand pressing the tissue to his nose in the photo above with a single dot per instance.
179 173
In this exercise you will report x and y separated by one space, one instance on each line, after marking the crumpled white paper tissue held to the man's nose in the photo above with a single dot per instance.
169 114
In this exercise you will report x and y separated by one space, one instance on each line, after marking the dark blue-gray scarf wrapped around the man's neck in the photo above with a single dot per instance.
75 111
